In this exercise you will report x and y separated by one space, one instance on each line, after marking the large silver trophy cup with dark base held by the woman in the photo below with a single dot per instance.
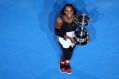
82 36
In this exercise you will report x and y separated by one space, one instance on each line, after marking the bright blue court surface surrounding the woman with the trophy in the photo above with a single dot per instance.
28 46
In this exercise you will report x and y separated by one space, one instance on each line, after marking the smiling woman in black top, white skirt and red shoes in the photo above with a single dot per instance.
65 31
